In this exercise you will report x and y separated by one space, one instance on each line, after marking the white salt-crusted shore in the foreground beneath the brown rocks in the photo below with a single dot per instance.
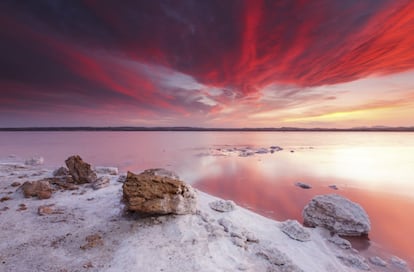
89 230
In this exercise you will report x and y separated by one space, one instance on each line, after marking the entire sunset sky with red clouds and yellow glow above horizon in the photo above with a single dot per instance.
215 63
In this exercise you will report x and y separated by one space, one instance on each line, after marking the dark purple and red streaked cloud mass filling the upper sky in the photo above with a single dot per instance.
76 52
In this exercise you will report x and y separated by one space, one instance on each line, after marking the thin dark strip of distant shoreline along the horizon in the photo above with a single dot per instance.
199 129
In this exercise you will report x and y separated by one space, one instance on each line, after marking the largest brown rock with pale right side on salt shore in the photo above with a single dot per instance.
158 194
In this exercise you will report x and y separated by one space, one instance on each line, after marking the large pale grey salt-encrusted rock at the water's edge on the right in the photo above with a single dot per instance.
336 214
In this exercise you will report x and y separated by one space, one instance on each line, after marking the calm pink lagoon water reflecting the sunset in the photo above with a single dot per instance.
375 169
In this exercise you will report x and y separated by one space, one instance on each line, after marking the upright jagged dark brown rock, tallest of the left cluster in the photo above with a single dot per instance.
80 170
